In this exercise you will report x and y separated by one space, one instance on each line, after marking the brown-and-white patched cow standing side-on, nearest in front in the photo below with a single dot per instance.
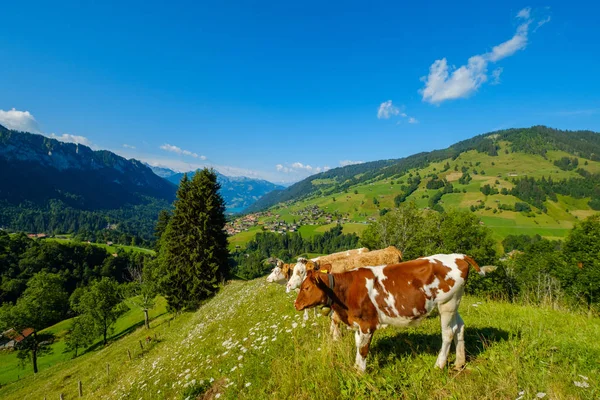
401 295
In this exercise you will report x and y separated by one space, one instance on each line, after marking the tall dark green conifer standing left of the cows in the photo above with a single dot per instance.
193 251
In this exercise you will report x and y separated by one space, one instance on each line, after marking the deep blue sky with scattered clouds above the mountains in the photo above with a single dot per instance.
281 90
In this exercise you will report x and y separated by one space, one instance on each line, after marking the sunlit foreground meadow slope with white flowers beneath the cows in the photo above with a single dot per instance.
249 343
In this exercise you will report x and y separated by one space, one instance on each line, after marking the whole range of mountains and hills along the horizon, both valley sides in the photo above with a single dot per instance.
52 186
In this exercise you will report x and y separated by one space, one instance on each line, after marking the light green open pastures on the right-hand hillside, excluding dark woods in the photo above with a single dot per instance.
357 202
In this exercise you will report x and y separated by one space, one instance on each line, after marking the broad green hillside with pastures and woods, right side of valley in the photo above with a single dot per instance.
487 159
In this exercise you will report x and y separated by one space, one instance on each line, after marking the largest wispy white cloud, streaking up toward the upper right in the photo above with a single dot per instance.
448 83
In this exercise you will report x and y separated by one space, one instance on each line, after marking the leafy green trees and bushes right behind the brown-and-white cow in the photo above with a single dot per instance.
535 270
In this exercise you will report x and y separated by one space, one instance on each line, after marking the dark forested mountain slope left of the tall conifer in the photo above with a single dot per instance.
51 186
